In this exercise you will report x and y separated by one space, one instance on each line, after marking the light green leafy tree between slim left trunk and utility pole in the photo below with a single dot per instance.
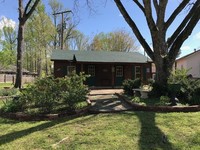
41 30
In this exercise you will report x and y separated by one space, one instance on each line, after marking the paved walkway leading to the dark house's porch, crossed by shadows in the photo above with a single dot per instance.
104 101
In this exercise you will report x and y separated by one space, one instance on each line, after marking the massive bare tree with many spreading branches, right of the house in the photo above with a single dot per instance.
164 49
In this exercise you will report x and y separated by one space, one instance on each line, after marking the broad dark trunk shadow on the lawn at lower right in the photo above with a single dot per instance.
151 137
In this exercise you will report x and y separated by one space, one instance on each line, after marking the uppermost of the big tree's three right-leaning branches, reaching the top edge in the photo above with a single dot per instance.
175 13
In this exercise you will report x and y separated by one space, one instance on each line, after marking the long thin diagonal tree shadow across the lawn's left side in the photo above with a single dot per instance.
19 134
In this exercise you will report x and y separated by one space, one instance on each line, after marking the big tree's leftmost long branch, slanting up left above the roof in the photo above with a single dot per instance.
134 29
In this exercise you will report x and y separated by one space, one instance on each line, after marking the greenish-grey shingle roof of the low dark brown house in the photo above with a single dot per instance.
99 56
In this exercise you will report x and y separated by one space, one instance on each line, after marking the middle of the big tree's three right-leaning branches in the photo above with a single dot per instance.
192 12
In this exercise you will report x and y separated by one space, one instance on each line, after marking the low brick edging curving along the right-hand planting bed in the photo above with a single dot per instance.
137 107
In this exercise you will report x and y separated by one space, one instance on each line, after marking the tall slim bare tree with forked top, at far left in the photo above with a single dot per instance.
24 14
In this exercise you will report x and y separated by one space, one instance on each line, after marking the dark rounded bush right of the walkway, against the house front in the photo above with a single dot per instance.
129 85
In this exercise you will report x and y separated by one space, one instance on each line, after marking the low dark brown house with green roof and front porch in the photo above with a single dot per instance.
106 69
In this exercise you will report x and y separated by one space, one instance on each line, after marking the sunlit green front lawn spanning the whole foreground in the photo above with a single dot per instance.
127 130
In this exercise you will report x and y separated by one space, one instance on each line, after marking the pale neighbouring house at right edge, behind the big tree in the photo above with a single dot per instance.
191 62
